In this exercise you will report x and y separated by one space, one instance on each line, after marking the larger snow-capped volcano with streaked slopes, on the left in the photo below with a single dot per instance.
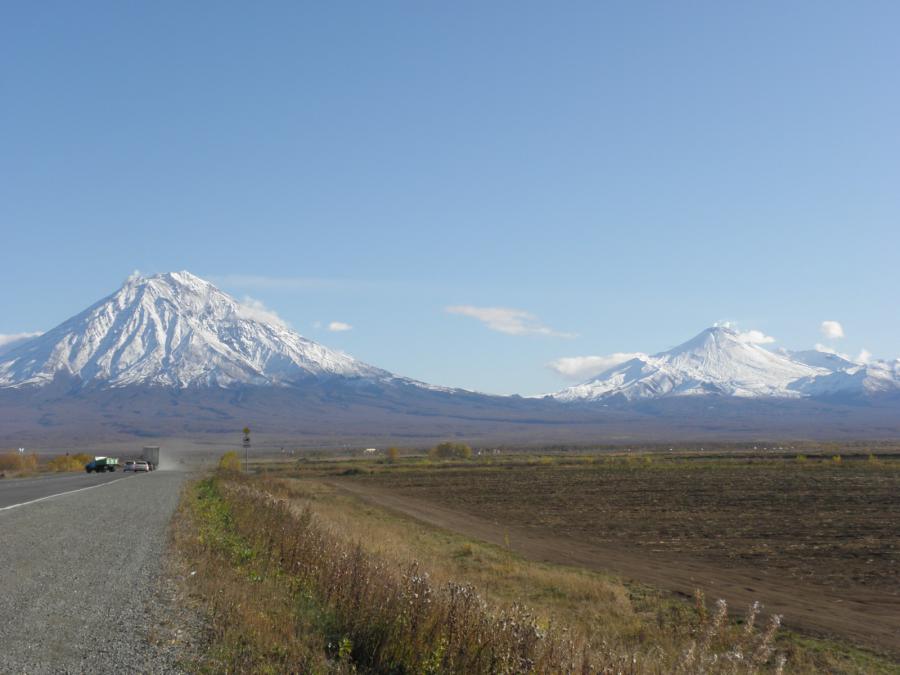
176 330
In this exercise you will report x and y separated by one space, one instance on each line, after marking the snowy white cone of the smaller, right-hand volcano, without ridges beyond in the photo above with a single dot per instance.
717 361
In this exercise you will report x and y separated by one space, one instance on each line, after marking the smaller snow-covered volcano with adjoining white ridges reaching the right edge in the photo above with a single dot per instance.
722 361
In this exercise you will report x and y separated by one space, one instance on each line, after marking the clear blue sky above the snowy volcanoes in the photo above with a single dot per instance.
624 174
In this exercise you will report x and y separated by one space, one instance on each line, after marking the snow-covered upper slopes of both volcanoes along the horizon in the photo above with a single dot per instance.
176 330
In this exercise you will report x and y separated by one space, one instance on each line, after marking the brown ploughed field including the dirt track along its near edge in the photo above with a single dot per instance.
816 541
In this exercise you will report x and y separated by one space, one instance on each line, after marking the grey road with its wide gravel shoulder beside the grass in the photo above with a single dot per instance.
80 591
